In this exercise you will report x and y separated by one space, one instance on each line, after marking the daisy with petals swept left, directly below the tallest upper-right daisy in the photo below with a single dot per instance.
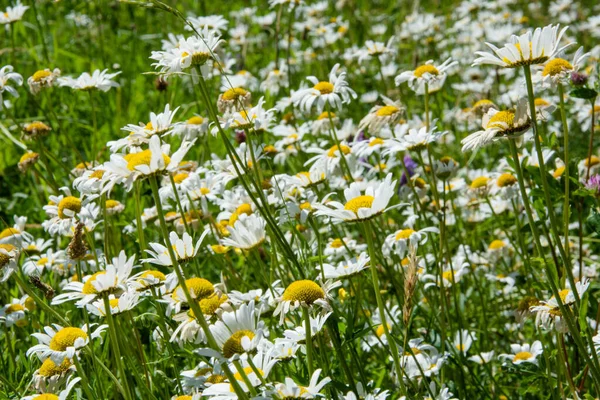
496 125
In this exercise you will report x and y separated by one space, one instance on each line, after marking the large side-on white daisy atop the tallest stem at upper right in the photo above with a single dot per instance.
531 48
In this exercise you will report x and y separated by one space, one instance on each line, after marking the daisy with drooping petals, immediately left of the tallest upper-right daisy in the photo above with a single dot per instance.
427 75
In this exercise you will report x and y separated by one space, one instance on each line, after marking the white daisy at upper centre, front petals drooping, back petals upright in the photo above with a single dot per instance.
334 92
